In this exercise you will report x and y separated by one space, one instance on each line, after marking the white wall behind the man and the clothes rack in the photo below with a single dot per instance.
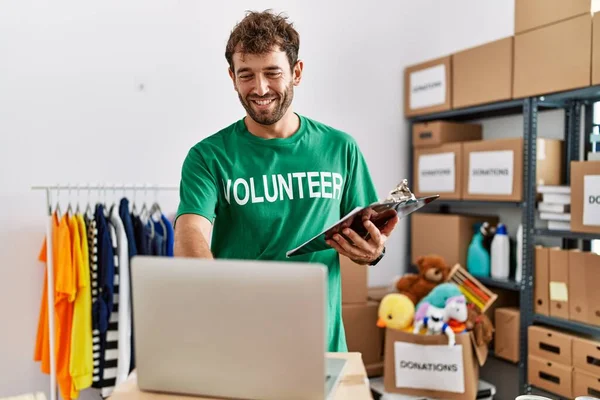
142 81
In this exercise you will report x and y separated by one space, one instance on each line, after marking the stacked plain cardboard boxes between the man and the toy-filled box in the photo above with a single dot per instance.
359 315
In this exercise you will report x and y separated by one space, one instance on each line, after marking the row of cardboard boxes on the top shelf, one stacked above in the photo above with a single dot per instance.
552 50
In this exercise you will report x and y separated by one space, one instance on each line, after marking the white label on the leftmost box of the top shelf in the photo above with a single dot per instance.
428 87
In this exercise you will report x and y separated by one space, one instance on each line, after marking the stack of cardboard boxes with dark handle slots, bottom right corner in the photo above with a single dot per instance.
562 363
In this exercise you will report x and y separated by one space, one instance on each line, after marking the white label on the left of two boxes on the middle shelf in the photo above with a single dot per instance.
437 173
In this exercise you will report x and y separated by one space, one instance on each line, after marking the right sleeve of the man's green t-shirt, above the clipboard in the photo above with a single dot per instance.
359 189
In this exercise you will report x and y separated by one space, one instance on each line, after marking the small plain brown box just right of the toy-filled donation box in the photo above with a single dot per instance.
506 340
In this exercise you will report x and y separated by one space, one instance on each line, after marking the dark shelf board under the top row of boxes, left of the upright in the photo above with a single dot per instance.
510 107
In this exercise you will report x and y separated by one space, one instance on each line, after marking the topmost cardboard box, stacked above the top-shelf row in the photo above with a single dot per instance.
531 14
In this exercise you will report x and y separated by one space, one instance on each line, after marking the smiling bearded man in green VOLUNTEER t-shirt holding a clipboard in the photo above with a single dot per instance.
274 178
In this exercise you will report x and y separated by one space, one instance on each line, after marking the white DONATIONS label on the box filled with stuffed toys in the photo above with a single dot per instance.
434 367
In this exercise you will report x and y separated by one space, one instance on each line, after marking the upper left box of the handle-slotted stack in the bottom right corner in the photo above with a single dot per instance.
550 344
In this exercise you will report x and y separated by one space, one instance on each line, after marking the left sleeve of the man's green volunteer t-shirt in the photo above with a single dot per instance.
198 190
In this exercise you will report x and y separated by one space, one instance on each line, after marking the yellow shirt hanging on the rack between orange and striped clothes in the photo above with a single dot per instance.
81 362
